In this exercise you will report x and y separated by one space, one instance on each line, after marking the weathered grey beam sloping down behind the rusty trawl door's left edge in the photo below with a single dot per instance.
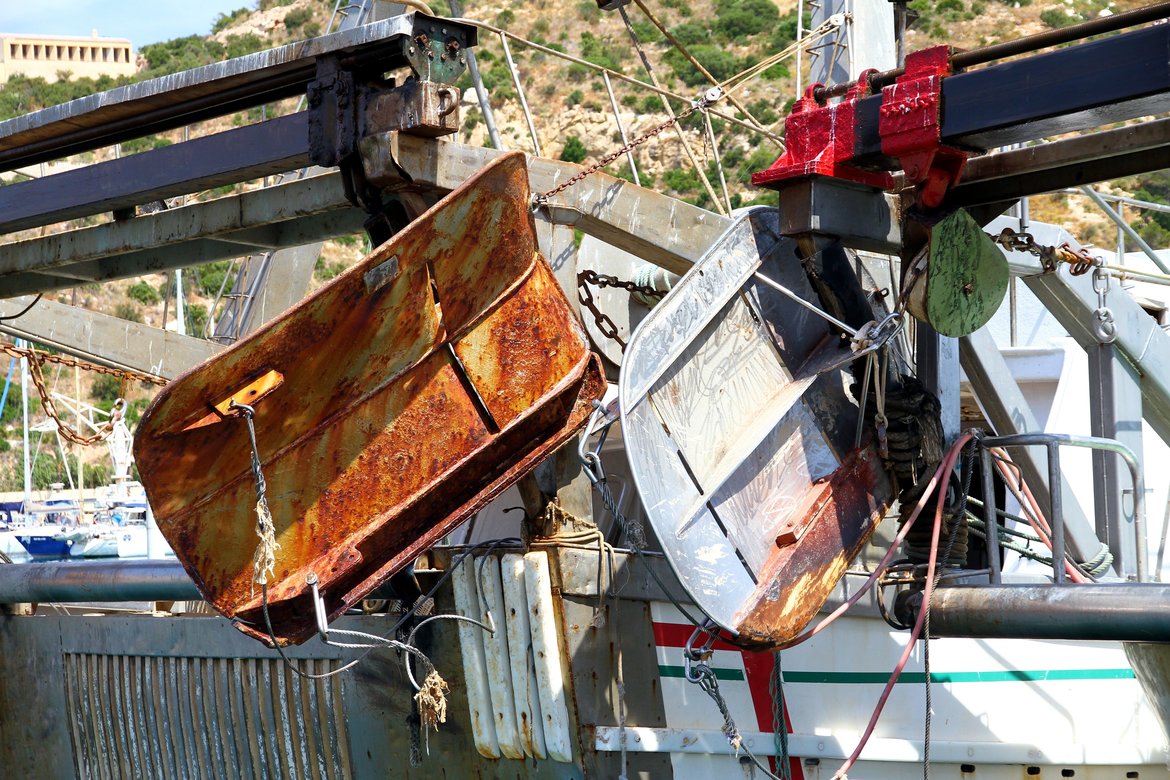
106 340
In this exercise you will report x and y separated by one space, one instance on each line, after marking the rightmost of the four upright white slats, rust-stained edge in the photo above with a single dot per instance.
547 657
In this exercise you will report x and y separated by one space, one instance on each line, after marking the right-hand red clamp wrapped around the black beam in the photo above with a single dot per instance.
911 126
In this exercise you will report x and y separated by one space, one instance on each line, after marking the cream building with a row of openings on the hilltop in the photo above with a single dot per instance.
47 56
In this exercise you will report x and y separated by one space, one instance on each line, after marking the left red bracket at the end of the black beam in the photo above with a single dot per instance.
821 142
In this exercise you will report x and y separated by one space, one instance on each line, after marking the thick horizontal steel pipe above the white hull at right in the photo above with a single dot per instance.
1118 612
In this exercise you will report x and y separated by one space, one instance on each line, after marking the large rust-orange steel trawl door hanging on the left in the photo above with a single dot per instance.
414 389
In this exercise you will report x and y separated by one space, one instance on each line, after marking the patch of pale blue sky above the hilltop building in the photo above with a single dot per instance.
142 22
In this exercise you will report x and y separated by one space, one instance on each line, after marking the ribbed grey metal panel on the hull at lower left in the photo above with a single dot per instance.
190 719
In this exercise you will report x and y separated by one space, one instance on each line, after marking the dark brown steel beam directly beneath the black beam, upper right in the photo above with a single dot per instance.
1071 163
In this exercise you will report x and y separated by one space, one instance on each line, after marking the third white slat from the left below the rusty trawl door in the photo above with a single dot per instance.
520 646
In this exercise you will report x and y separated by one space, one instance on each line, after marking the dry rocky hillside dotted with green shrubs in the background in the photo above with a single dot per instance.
570 106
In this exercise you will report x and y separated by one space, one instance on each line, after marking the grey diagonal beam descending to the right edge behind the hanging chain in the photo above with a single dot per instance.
1072 302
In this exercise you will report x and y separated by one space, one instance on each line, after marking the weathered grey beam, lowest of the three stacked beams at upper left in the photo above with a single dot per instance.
286 216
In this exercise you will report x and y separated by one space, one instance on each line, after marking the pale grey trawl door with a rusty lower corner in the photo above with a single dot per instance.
739 434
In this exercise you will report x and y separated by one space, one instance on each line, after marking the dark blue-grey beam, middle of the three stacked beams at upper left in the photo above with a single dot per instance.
232 156
